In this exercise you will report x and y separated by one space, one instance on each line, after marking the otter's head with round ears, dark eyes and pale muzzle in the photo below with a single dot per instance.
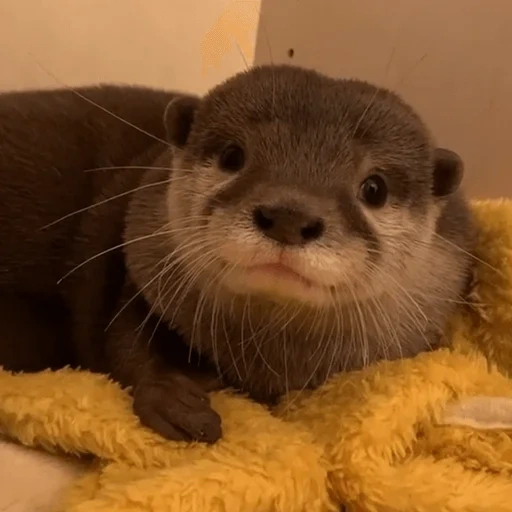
299 187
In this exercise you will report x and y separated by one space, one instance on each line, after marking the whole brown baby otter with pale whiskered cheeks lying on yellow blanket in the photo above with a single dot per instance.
287 226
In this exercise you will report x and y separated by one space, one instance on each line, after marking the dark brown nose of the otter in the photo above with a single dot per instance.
286 225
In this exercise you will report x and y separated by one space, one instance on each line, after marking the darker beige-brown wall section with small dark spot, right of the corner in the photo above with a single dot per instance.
452 59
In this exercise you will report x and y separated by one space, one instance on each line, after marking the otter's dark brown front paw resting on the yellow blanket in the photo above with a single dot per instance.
178 409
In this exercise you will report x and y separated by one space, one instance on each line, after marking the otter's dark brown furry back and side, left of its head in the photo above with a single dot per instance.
48 139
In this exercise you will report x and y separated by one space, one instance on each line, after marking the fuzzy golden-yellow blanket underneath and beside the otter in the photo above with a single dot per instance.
432 434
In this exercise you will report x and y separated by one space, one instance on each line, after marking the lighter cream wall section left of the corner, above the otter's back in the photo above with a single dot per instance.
182 44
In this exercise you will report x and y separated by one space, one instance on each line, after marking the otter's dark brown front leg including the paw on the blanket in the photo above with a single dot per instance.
168 398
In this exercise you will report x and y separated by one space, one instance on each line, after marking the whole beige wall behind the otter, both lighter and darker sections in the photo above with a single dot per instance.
449 58
